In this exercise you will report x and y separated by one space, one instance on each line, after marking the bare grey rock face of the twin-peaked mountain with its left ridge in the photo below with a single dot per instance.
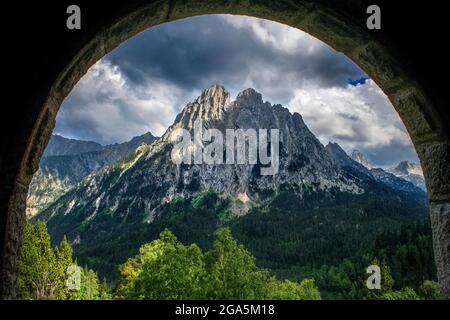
144 181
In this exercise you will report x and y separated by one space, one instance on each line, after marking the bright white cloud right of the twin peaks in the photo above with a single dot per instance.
359 117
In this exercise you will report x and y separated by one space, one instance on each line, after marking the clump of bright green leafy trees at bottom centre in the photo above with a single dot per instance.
167 269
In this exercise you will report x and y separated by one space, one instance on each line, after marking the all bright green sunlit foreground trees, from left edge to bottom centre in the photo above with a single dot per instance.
163 269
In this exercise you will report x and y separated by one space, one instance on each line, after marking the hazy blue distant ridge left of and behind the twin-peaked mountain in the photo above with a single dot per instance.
67 161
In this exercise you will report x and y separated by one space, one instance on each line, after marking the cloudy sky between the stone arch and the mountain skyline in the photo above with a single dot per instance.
144 83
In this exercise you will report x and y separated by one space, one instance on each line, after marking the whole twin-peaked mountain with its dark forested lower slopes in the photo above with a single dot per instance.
122 205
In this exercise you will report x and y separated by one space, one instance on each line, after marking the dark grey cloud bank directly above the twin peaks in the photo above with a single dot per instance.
197 52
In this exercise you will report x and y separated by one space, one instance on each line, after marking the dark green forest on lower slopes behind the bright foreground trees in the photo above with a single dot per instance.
331 239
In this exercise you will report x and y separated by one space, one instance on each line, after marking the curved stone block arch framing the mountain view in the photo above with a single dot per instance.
334 29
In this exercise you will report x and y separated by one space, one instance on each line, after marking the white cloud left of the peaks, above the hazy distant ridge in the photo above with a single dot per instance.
109 107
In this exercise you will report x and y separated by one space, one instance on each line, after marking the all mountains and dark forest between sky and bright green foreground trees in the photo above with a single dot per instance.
324 215
